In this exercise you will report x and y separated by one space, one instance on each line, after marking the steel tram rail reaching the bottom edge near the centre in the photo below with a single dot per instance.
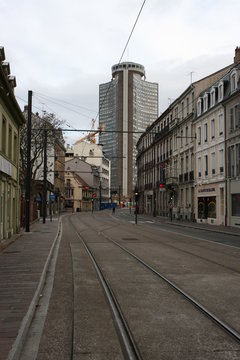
127 341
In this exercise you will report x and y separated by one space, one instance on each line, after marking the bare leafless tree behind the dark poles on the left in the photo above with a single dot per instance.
52 124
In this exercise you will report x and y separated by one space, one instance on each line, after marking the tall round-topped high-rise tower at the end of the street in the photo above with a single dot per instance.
127 105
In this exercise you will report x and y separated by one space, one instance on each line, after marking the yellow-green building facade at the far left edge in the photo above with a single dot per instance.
11 119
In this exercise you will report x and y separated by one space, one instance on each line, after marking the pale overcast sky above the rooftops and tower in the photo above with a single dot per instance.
65 49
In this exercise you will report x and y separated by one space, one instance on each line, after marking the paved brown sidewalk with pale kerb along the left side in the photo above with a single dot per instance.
23 267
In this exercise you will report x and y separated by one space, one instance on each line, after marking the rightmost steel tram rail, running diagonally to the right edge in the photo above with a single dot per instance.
228 329
